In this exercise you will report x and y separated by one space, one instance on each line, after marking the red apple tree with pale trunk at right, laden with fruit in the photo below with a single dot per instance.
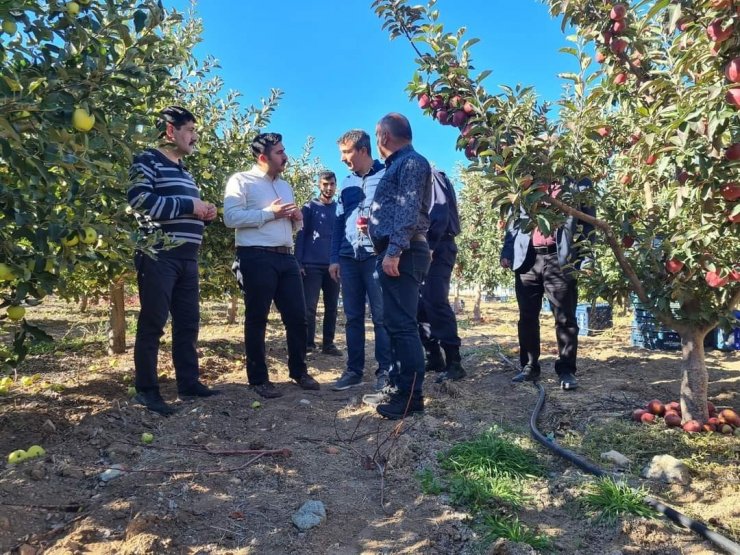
650 115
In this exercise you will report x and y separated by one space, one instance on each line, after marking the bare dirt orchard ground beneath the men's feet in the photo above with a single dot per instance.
197 489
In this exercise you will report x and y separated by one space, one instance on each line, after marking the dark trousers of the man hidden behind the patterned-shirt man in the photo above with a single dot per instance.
437 322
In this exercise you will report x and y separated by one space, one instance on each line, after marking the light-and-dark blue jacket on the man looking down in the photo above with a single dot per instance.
355 198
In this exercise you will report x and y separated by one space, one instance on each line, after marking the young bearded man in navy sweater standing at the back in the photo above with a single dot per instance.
312 249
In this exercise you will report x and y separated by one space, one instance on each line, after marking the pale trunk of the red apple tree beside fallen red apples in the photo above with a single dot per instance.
694 379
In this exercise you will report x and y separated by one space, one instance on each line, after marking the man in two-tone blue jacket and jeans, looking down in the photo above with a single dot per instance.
353 261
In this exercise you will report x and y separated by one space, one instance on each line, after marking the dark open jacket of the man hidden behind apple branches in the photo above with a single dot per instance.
517 243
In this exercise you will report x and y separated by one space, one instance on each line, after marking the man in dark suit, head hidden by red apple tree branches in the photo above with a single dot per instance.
547 265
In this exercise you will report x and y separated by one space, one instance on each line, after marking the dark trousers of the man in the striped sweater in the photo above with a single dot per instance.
166 286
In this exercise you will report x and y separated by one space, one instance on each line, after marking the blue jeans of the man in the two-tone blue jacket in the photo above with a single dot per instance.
359 282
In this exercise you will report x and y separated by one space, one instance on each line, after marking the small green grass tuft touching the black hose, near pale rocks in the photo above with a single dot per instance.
610 500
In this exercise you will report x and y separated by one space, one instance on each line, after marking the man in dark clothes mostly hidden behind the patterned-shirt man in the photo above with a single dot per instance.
437 321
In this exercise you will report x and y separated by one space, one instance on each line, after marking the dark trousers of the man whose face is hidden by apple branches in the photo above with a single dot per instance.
544 275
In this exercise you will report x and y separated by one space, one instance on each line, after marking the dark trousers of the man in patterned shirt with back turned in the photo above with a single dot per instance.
400 307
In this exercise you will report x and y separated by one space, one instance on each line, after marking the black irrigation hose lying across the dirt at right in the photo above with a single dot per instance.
680 519
